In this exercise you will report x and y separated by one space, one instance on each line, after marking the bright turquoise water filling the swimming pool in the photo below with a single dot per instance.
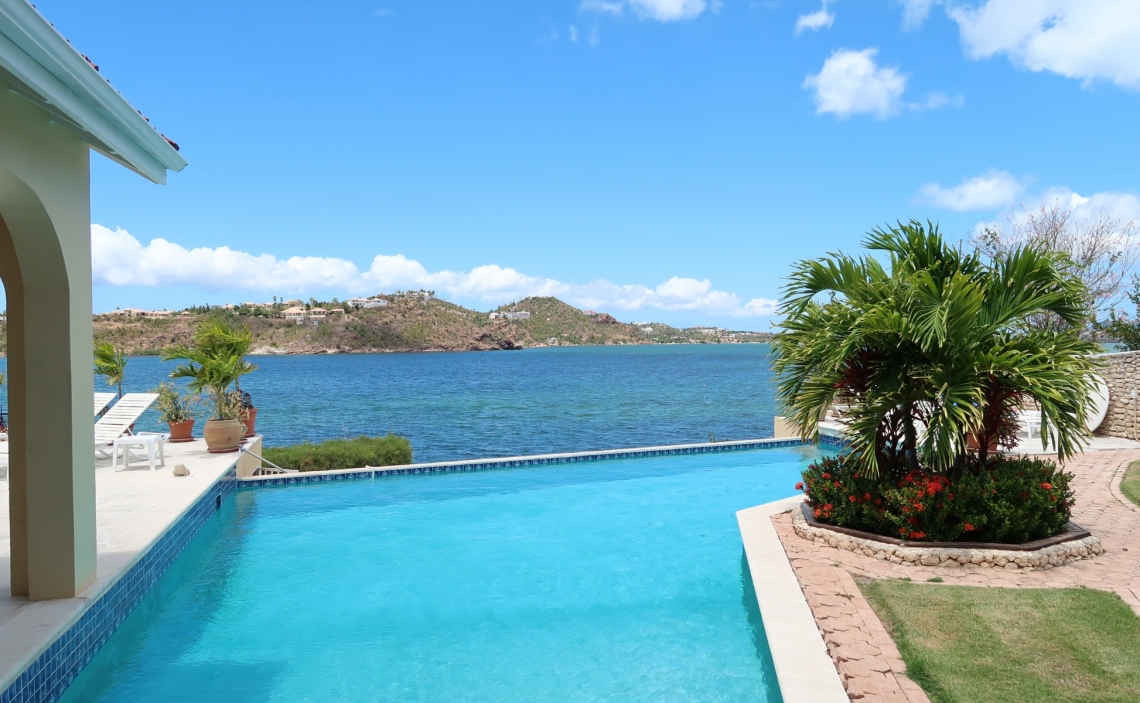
617 581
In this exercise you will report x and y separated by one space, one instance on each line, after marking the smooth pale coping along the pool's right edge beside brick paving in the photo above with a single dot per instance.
804 668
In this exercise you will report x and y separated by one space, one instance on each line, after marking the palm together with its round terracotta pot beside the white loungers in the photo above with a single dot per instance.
216 362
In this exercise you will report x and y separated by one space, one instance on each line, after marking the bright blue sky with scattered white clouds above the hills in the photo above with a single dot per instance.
662 160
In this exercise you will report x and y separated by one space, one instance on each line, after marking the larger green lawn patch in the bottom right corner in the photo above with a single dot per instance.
1004 645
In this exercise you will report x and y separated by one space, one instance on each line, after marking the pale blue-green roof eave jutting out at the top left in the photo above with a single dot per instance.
44 68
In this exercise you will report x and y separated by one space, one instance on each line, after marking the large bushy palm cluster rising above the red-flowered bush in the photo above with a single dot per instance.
935 350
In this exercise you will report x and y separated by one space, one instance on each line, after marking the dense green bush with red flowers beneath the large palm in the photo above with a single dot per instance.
1007 501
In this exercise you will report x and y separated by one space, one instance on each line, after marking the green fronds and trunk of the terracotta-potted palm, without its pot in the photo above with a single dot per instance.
216 361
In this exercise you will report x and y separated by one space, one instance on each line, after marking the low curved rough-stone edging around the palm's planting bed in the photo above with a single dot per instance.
1047 558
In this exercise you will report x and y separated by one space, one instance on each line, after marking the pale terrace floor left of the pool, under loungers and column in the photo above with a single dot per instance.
134 509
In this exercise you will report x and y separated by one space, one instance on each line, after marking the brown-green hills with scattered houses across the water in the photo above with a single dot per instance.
411 323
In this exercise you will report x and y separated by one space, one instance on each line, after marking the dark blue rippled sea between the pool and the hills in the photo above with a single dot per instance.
474 405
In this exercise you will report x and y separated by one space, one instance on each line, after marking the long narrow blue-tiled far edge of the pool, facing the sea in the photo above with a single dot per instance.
477 465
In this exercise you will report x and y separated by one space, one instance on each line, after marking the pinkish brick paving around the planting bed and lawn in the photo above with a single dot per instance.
865 655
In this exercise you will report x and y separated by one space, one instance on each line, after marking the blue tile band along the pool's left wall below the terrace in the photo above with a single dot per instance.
48 677
